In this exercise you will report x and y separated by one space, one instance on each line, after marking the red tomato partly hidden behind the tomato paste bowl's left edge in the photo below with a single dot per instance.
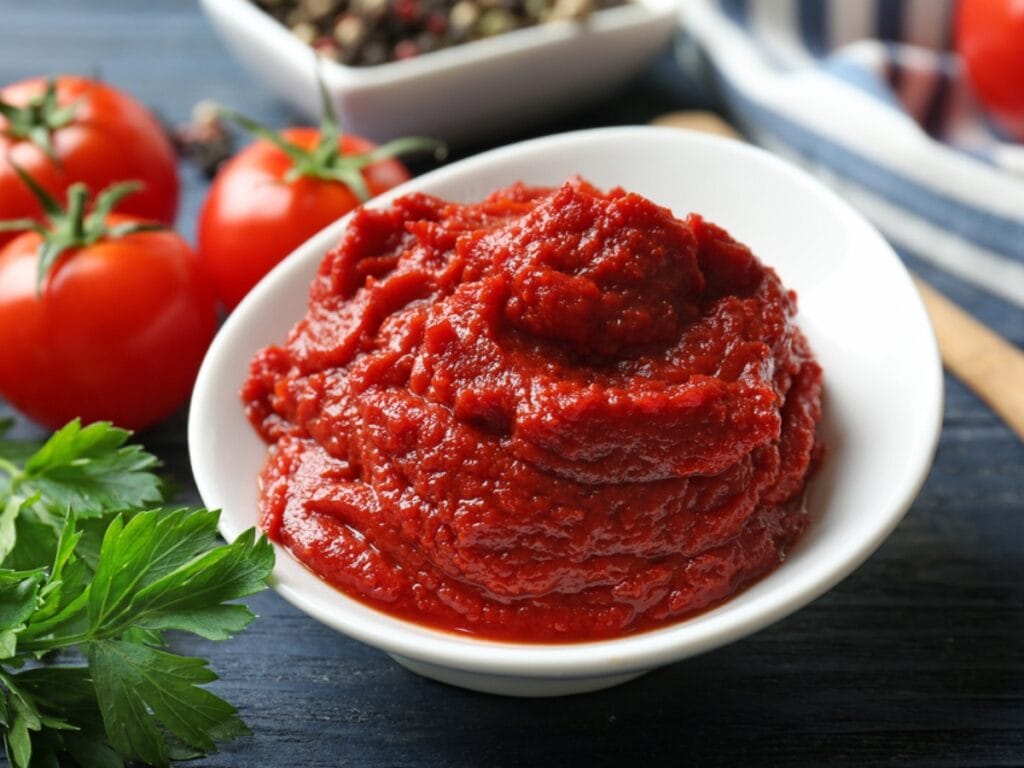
253 218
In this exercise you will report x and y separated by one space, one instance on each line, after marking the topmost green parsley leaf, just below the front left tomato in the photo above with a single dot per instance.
91 471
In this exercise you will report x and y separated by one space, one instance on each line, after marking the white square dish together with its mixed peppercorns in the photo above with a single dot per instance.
486 88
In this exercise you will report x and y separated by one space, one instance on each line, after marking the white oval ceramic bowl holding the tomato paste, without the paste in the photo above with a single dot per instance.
858 307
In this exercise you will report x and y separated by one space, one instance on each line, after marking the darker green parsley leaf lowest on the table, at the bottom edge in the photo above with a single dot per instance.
139 688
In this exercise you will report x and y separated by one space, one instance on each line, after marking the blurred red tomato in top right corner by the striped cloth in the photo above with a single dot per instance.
991 37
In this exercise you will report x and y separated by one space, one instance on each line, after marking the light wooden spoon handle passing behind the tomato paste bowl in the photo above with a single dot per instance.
987 363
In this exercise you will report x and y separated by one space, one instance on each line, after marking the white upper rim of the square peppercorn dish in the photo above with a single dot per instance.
634 14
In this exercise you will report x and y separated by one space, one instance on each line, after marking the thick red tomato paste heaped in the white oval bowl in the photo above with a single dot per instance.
557 415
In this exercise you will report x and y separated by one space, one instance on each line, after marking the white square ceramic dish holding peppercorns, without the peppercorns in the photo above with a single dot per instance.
460 94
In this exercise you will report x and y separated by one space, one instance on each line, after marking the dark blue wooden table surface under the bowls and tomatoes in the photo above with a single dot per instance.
918 659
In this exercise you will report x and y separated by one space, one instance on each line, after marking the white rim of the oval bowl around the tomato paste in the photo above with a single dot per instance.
632 653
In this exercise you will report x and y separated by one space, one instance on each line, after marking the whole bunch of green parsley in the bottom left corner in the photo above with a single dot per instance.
93 569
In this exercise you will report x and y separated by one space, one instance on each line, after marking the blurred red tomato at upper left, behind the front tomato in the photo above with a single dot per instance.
108 138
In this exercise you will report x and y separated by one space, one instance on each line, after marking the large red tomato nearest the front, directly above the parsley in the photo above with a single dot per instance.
118 332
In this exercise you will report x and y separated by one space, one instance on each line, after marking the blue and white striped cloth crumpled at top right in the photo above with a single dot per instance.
869 96
